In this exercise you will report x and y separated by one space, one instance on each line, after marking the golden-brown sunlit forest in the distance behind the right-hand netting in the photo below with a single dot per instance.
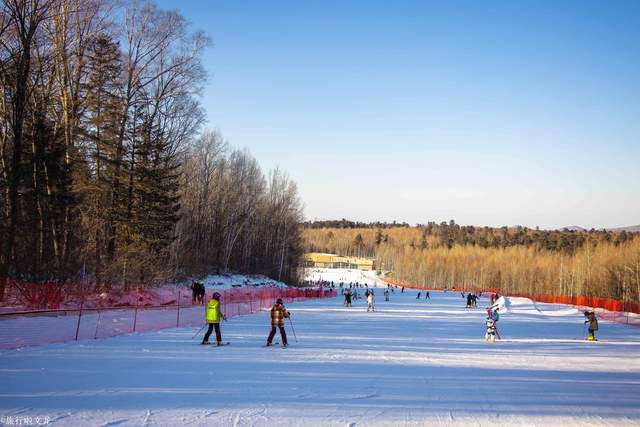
516 259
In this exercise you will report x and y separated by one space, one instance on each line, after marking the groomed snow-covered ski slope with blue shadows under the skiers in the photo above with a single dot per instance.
411 363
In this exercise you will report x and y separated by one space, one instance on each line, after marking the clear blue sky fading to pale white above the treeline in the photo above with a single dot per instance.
489 113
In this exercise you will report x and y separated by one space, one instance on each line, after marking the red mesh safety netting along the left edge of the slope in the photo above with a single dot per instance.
116 313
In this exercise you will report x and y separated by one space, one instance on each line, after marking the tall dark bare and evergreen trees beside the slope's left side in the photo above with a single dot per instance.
105 172
